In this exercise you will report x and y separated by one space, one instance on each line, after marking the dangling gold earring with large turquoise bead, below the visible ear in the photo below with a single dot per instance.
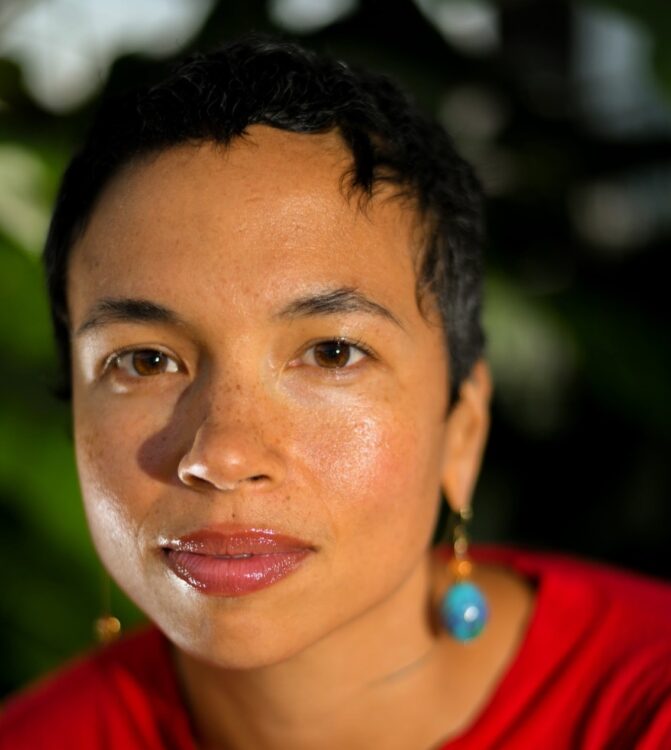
463 608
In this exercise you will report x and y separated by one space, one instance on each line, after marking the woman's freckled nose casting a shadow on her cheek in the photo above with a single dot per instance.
231 450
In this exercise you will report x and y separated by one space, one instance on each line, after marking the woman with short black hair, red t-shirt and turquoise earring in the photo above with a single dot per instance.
265 277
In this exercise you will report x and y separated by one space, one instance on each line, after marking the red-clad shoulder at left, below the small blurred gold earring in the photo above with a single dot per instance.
124 693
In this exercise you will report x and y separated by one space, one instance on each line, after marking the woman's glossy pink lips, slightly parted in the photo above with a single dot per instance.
233 563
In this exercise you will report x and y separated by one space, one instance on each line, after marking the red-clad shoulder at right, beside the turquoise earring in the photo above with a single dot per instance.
596 655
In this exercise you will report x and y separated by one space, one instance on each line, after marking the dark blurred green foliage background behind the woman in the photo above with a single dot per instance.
564 109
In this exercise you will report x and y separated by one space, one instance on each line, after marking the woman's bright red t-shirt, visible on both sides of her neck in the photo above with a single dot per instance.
593 672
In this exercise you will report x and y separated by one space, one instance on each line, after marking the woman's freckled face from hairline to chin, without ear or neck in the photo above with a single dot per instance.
249 361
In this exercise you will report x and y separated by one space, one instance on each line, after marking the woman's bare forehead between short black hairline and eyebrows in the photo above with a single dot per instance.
262 218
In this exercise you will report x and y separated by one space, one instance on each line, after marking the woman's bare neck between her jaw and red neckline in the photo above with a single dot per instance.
343 691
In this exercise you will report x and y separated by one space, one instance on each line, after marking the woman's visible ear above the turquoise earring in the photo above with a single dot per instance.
466 431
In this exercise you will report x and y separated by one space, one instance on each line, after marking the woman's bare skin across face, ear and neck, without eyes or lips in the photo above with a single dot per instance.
245 425
